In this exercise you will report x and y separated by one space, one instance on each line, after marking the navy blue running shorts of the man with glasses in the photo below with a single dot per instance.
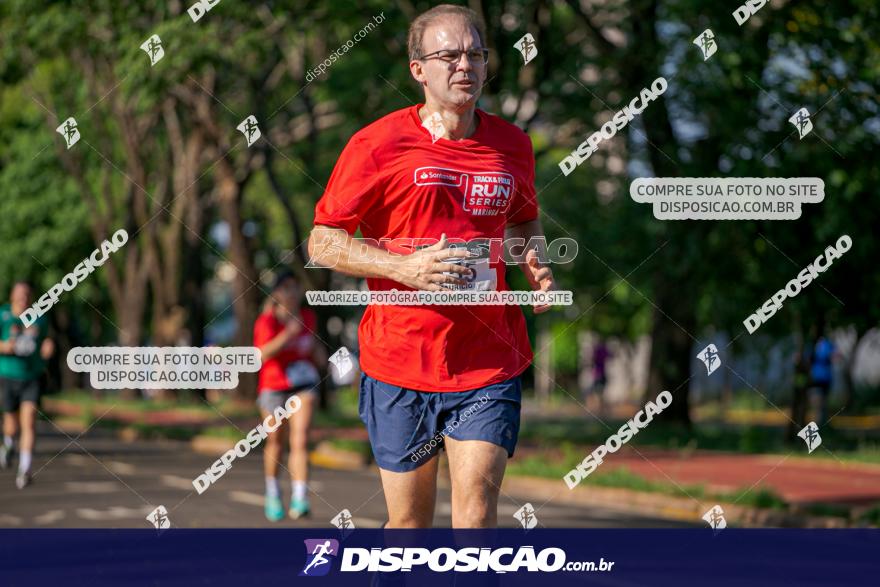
407 427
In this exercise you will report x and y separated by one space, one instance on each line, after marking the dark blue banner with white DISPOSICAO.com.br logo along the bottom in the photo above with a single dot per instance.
325 556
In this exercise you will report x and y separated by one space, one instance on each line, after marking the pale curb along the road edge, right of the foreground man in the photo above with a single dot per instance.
664 506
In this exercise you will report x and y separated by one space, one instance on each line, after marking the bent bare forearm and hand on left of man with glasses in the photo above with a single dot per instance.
336 249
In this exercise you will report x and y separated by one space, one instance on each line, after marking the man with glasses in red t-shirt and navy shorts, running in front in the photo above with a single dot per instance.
471 178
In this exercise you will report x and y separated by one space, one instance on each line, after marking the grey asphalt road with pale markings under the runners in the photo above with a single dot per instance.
99 481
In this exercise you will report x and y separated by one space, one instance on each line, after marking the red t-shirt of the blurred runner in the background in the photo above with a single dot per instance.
272 373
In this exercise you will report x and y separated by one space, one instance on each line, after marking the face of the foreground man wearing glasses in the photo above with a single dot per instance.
450 83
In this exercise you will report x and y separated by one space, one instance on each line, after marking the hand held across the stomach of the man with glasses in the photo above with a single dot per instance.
423 269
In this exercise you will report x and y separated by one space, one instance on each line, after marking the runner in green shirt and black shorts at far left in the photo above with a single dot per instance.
23 352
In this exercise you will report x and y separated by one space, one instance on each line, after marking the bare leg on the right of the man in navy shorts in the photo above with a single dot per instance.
476 468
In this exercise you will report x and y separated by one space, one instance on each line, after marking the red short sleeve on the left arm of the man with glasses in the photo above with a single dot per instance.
350 191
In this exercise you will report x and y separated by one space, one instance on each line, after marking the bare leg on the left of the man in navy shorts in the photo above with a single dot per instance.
411 496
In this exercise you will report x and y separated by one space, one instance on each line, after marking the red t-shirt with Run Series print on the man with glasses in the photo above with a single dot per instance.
392 181
